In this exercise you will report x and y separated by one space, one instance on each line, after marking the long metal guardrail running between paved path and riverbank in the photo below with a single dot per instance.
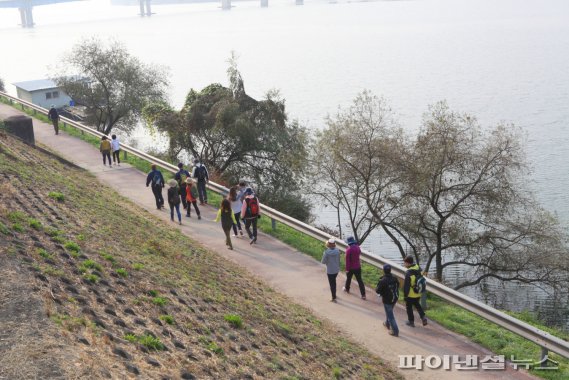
545 340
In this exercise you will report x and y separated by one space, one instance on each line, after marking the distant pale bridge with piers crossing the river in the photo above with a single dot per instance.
27 19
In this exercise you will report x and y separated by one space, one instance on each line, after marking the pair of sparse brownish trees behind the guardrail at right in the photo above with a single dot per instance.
455 195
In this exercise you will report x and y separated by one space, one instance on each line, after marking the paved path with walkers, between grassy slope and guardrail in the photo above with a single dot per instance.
287 271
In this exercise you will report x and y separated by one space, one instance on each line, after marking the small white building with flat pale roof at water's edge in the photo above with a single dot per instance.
42 92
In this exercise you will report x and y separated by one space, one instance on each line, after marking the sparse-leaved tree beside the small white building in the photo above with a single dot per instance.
113 85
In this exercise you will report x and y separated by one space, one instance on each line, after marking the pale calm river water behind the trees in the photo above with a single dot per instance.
501 60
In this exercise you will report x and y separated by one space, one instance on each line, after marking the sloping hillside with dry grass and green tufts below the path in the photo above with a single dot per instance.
93 286
